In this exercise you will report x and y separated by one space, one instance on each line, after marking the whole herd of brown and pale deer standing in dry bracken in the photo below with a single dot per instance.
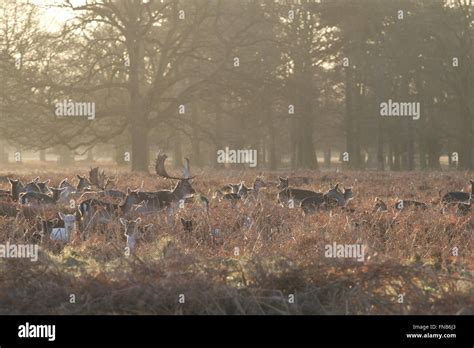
93 202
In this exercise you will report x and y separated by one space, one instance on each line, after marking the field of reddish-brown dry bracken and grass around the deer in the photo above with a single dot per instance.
266 259
